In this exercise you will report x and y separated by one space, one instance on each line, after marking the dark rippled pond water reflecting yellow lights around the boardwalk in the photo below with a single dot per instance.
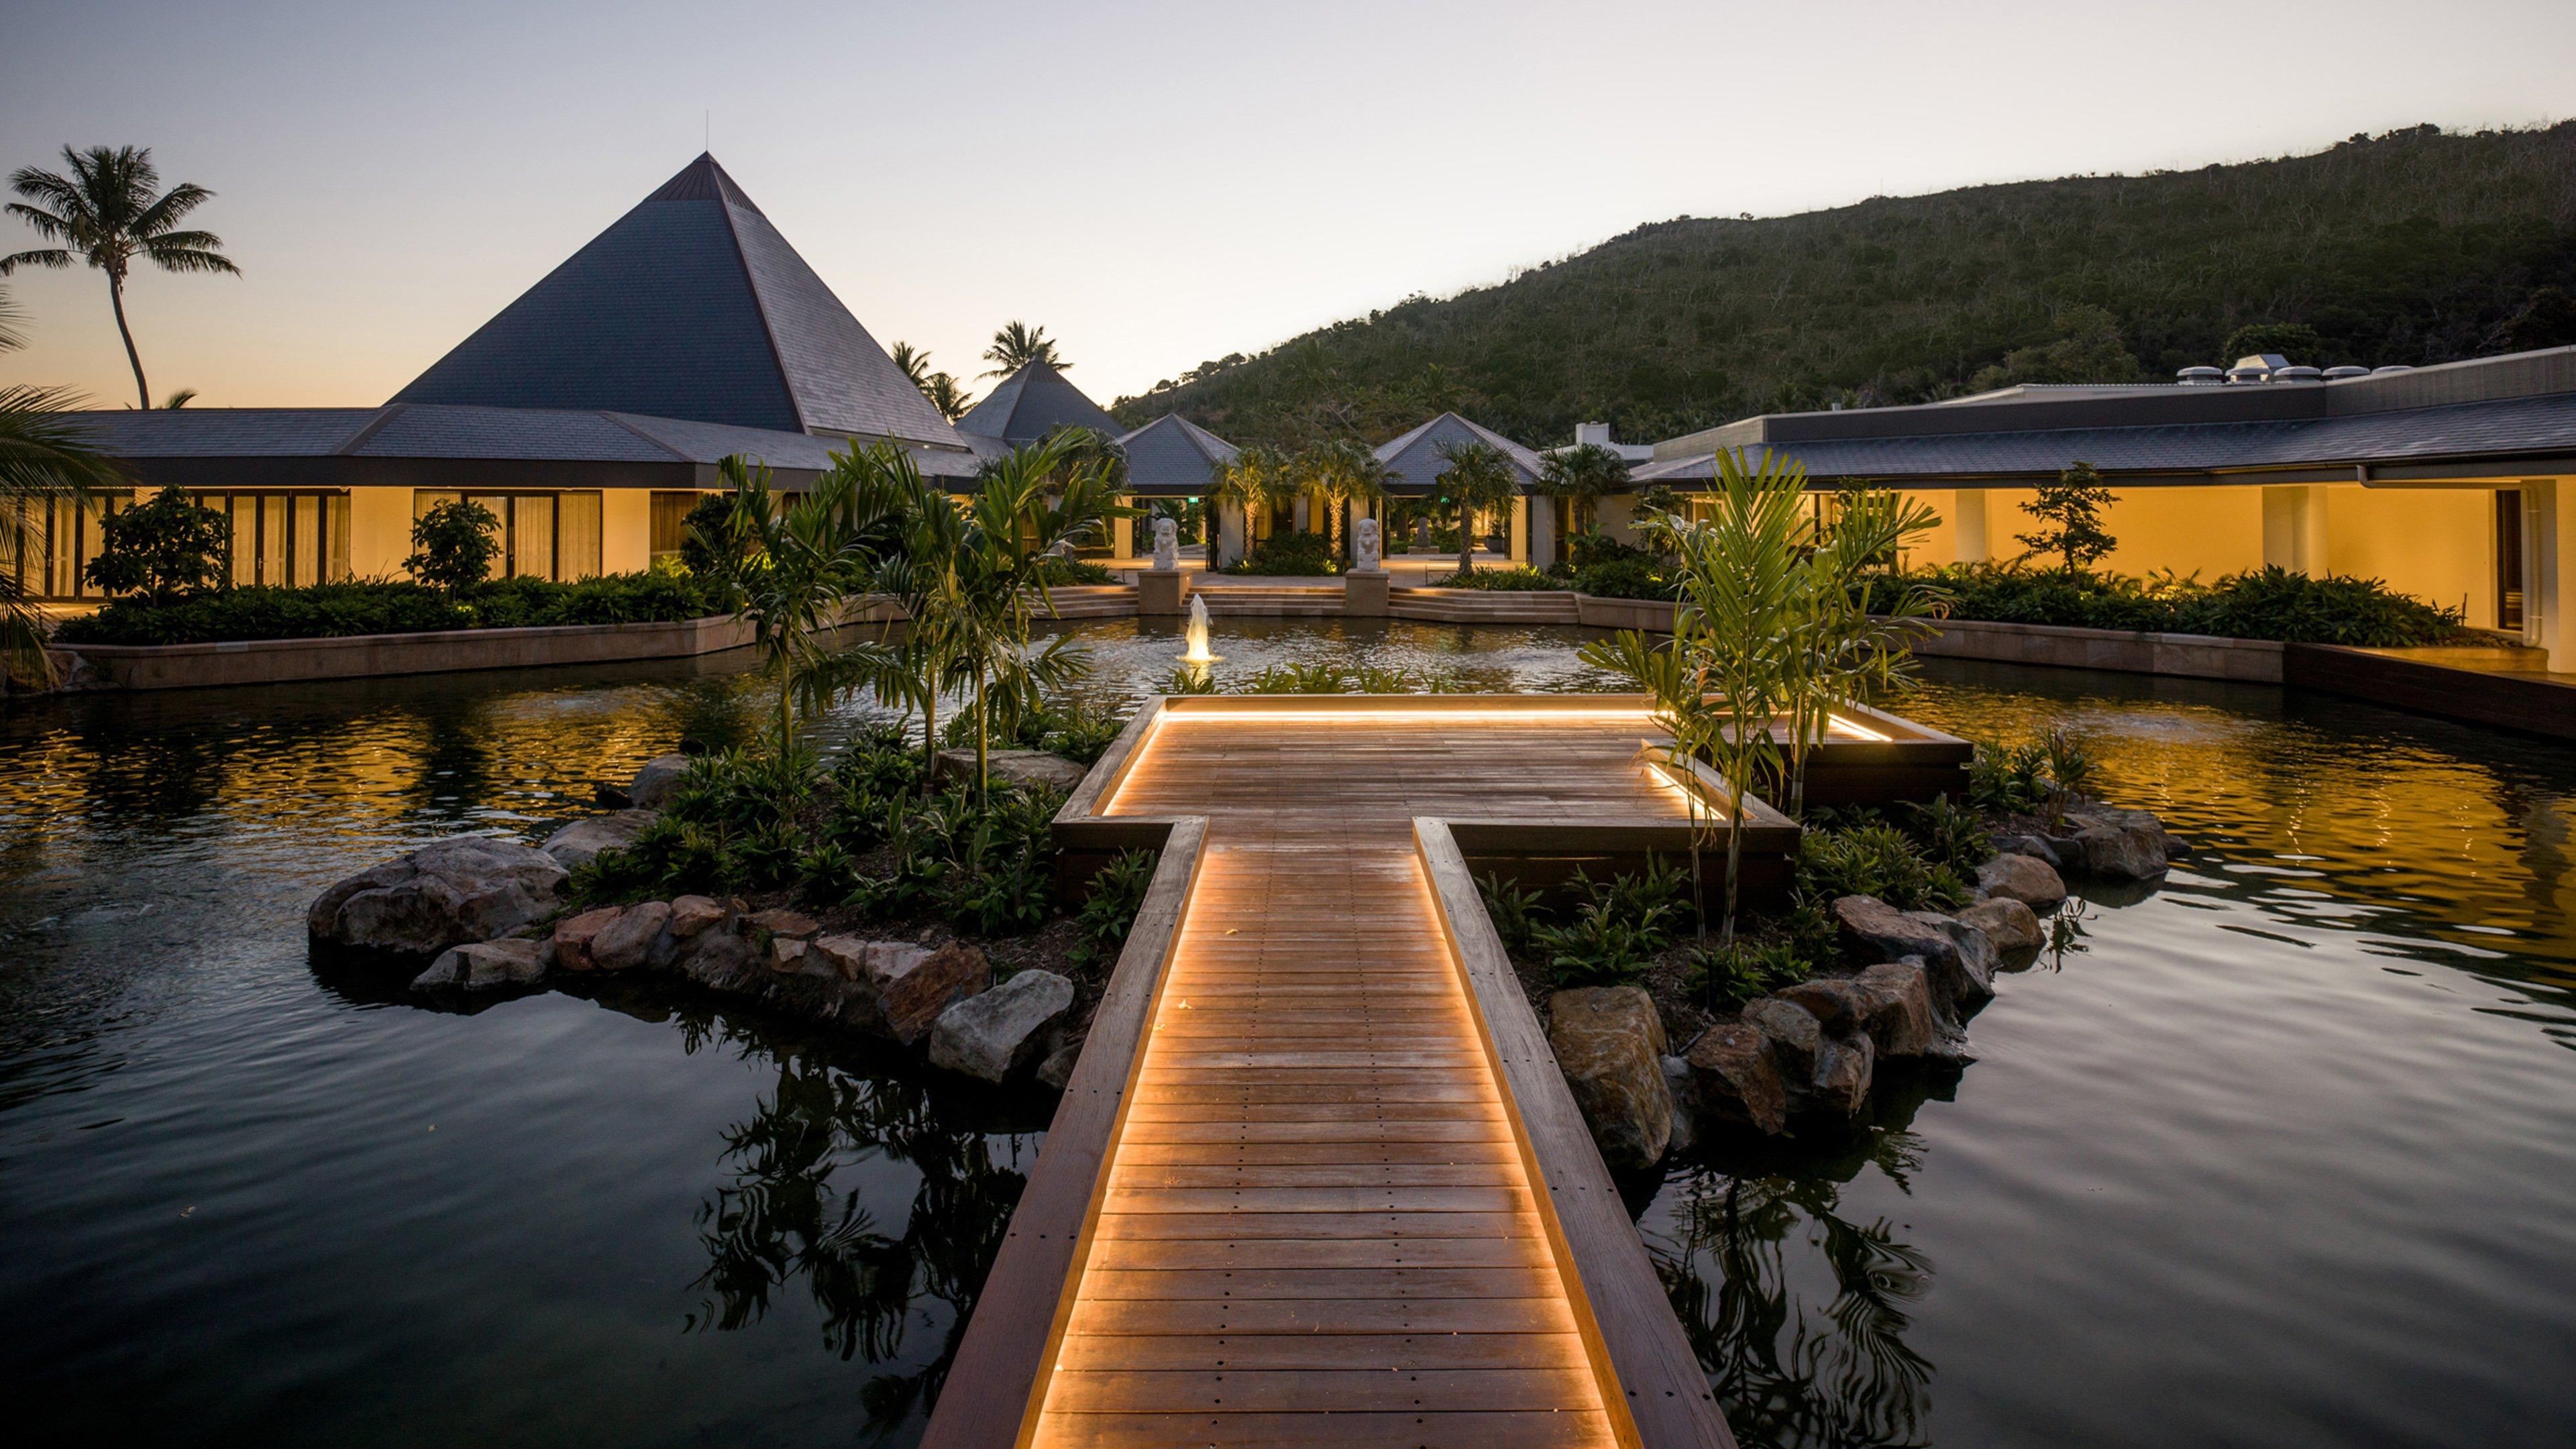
2281 1154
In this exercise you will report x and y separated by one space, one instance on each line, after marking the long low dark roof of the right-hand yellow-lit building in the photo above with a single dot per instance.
2518 427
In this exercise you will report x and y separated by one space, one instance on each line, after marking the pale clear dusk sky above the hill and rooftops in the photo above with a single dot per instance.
1153 184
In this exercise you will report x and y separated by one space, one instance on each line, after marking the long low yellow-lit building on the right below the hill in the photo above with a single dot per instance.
2454 483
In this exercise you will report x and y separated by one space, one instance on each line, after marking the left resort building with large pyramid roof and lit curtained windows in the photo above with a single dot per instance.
589 416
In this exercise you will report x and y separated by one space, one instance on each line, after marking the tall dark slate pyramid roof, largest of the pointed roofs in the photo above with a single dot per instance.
697 308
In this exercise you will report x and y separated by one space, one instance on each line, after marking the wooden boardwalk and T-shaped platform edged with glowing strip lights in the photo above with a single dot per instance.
1320 1211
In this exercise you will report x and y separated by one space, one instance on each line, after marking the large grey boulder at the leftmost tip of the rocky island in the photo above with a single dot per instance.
447 893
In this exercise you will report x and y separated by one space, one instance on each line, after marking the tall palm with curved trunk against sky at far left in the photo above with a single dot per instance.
112 213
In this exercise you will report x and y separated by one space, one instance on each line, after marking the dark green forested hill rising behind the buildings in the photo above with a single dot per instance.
2402 249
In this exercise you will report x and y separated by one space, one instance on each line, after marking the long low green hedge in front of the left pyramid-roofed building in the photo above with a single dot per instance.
390 607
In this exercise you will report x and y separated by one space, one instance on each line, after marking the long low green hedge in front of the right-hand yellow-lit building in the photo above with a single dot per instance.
2260 605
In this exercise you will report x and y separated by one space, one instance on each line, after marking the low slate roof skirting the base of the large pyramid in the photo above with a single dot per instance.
465 434
